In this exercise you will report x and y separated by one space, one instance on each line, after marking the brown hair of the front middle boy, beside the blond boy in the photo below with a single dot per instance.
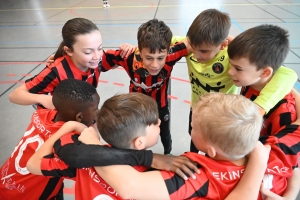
124 117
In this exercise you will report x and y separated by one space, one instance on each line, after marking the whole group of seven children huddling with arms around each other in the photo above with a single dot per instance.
61 142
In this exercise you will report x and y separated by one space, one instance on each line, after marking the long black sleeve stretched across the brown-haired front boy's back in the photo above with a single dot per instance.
79 155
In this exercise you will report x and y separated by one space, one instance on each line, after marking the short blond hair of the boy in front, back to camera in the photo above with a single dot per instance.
230 122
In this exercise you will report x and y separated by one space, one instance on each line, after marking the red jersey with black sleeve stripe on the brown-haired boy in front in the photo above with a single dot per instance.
52 166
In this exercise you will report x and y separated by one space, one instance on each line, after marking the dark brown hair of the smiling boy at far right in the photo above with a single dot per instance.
264 45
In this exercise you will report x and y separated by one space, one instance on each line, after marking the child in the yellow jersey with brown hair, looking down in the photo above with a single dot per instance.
208 64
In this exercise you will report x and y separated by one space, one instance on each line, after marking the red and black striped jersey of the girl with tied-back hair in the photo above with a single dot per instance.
62 68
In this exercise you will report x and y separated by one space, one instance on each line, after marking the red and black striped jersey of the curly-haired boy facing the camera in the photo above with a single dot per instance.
140 79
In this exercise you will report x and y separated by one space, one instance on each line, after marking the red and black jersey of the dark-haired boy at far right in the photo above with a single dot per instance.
283 113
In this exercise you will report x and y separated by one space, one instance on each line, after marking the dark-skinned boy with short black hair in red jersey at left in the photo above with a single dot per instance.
74 100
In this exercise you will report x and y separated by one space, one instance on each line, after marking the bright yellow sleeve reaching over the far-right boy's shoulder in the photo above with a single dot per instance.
280 85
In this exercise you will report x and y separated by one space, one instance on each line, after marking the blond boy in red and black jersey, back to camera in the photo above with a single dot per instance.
222 169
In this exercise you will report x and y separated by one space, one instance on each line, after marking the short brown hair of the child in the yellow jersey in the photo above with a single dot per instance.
210 27
